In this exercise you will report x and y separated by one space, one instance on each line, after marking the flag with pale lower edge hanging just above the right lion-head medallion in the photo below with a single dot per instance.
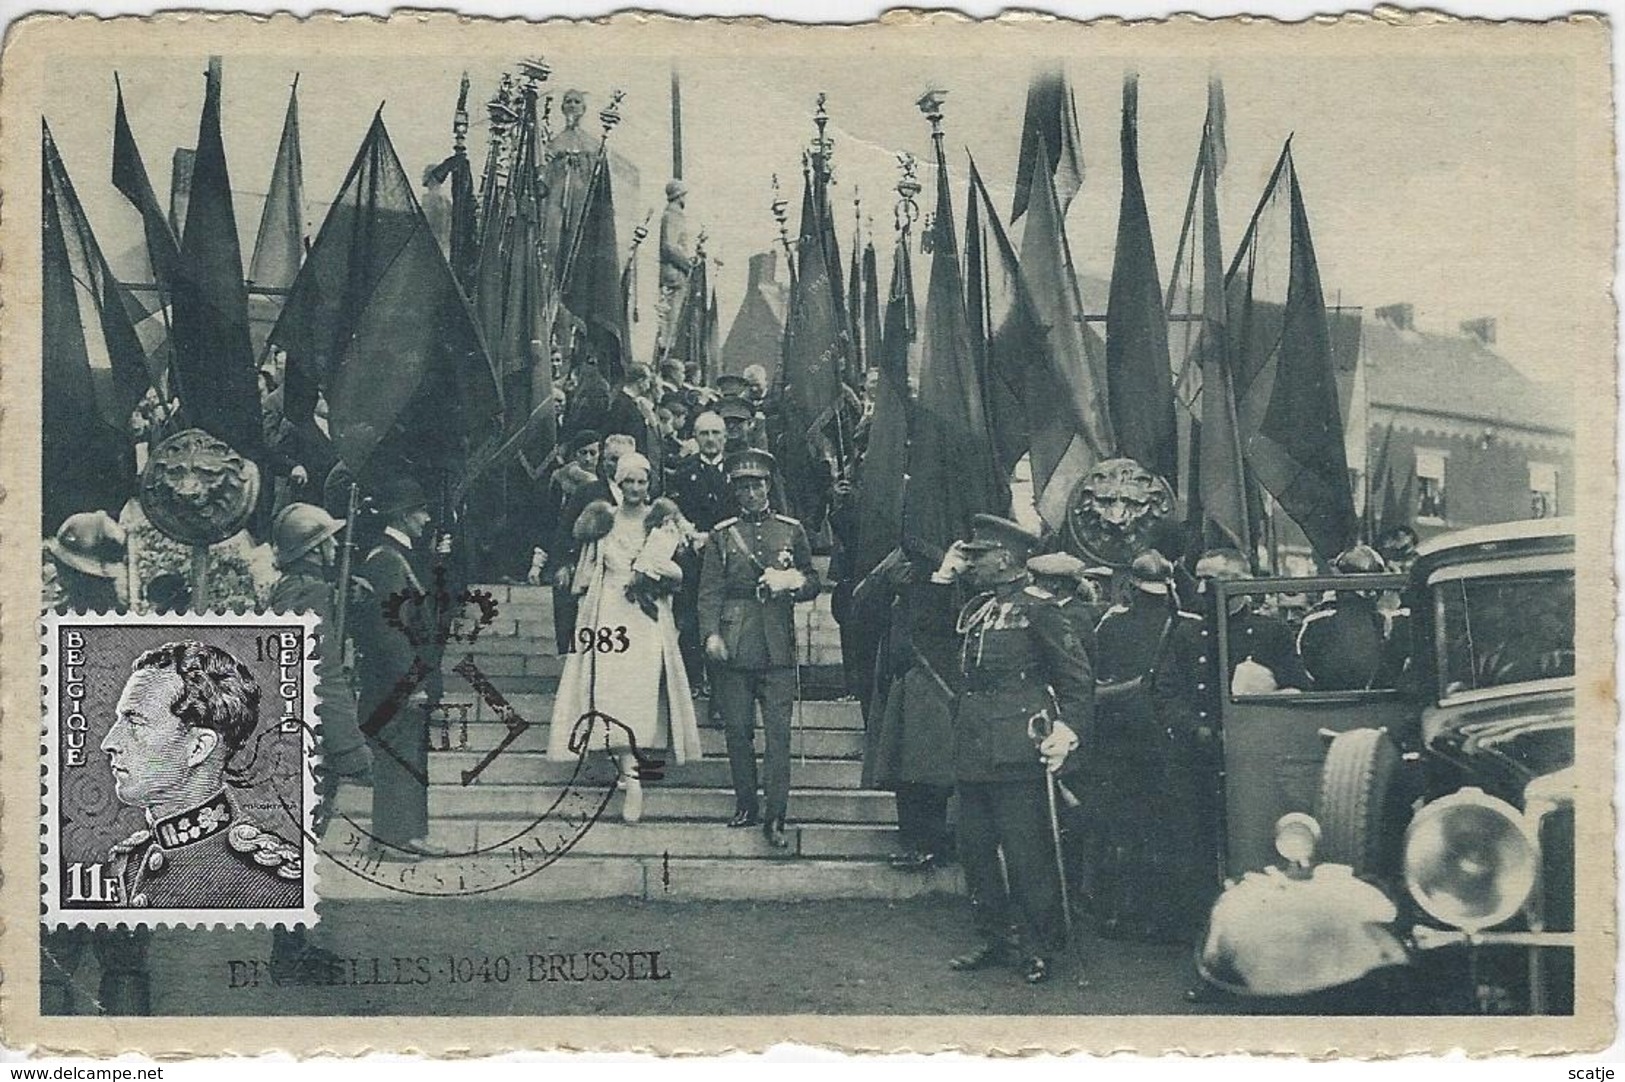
1067 402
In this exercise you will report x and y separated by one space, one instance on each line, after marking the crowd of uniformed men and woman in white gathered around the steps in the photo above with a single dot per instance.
1044 722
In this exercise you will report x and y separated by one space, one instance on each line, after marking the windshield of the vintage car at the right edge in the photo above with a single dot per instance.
1501 631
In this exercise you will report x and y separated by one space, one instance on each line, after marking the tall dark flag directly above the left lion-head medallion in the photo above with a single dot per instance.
214 360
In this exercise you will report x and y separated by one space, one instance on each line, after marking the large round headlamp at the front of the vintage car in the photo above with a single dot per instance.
1470 862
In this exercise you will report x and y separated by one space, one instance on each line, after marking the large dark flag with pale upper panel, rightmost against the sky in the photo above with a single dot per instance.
1291 425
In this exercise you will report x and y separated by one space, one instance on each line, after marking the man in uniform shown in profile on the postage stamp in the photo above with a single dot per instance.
184 712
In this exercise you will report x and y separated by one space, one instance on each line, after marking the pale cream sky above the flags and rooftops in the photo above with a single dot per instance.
1436 181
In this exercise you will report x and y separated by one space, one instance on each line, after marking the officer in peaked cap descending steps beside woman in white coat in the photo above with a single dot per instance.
758 566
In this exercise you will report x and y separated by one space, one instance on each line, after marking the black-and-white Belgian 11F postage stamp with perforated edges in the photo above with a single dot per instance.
180 771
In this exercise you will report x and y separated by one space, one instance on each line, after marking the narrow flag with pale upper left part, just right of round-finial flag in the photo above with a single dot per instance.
1005 326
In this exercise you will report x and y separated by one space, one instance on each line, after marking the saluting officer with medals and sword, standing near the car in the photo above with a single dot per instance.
1026 693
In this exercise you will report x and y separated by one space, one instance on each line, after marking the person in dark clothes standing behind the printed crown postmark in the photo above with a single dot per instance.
399 732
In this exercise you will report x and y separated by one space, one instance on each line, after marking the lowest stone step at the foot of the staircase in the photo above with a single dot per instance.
683 880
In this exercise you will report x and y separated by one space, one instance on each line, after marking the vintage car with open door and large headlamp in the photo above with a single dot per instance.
1410 844
